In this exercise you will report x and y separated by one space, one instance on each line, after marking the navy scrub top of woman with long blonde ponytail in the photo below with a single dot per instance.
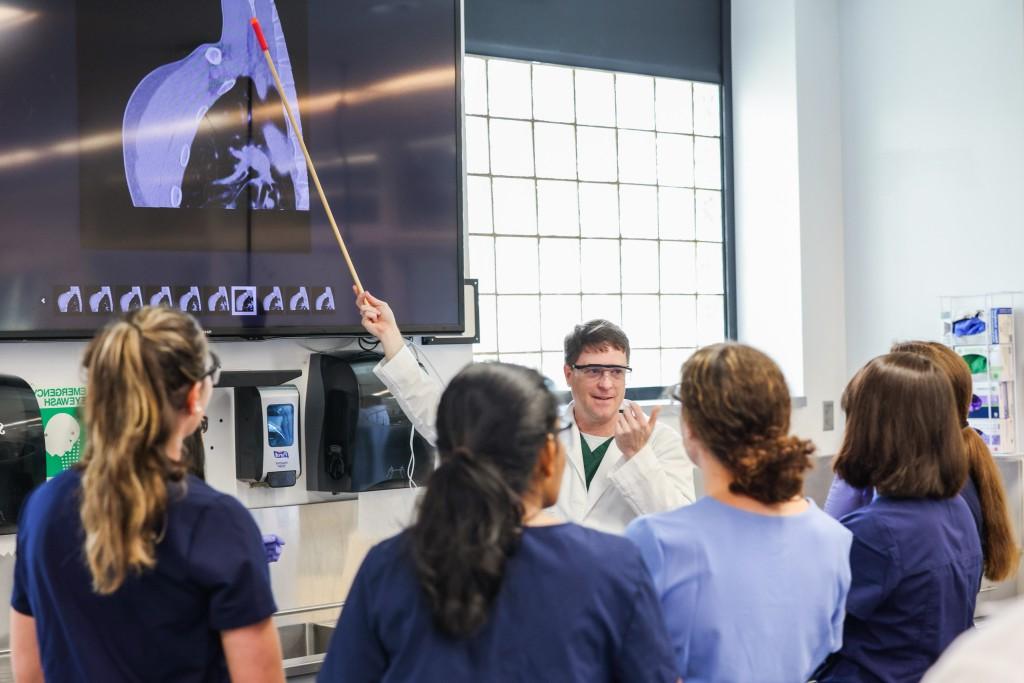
163 625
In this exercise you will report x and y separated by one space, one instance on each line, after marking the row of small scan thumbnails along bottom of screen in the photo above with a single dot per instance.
236 301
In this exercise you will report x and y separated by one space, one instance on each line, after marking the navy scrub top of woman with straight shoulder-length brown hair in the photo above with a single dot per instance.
917 567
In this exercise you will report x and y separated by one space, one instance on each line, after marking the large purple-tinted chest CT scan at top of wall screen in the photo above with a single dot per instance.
206 132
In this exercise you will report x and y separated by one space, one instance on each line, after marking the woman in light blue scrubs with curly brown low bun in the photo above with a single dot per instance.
753 578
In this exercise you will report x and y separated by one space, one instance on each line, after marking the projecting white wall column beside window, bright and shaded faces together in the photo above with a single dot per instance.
789 198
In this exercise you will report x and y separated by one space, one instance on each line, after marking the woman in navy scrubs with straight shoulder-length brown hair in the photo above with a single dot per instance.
916 560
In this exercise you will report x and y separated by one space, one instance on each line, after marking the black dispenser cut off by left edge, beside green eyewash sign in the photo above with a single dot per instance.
23 449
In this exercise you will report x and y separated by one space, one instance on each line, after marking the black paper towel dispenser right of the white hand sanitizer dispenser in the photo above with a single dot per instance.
358 438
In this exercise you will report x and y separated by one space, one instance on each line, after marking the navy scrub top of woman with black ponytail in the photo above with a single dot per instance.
575 606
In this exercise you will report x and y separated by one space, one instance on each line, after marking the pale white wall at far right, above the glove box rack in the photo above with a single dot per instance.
933 161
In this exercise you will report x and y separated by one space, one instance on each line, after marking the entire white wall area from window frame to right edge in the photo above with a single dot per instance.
880 165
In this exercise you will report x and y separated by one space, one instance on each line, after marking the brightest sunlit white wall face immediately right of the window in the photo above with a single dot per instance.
767 182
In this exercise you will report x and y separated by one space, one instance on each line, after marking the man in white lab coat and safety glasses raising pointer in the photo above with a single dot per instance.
622 464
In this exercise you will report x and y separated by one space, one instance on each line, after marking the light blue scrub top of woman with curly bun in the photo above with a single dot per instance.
748 597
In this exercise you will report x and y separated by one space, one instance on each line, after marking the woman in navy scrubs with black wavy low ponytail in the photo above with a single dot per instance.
487 587
